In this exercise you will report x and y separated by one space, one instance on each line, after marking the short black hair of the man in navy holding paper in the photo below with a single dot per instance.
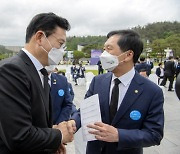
129 40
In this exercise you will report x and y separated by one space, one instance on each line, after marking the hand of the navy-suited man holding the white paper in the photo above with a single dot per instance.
104 132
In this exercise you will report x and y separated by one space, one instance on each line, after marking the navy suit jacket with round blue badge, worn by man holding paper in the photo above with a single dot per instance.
142 96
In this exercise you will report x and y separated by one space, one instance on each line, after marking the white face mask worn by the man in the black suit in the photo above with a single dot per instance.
54 55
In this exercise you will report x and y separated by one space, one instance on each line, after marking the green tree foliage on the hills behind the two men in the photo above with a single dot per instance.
160 35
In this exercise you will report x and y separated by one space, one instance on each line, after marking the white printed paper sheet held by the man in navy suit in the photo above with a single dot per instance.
90 113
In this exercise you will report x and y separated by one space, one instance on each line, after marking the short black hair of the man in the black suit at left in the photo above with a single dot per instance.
46 22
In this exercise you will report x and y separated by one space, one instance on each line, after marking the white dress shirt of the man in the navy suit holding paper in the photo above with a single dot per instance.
123 86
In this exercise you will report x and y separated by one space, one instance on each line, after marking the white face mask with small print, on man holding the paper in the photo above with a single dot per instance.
108 61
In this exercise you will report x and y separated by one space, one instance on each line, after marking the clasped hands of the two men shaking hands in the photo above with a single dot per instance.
67 128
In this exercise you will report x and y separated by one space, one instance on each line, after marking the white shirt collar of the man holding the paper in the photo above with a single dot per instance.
126 78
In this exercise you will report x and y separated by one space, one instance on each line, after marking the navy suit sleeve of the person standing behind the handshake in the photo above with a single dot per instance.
66 105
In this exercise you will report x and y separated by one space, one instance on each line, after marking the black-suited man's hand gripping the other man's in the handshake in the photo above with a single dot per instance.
67 136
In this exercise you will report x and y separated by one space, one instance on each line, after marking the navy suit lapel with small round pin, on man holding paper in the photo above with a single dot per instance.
133 92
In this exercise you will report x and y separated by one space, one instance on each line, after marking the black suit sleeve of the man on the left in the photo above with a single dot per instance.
16 128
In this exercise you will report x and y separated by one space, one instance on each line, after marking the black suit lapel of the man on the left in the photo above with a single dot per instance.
34 75
